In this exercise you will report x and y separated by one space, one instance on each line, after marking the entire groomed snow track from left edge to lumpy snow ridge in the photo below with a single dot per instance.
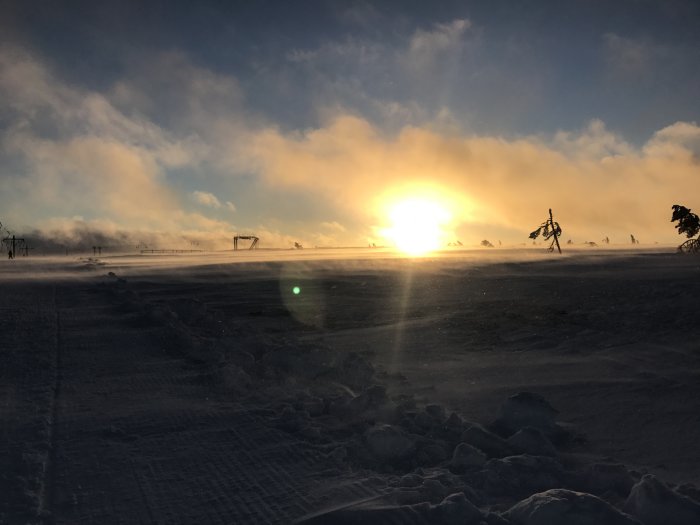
131 434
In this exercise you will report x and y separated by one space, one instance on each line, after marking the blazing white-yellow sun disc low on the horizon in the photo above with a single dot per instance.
417 225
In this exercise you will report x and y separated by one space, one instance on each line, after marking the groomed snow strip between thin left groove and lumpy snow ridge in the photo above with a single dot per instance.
155 448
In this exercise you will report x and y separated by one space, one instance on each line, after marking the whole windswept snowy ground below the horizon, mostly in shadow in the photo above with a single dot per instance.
203 389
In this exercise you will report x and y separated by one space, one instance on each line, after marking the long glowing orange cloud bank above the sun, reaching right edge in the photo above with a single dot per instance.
596 182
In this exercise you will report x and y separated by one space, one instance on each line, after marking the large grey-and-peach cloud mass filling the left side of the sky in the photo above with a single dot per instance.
70 151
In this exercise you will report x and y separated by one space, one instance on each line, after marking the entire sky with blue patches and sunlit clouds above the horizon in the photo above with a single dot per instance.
178 124
